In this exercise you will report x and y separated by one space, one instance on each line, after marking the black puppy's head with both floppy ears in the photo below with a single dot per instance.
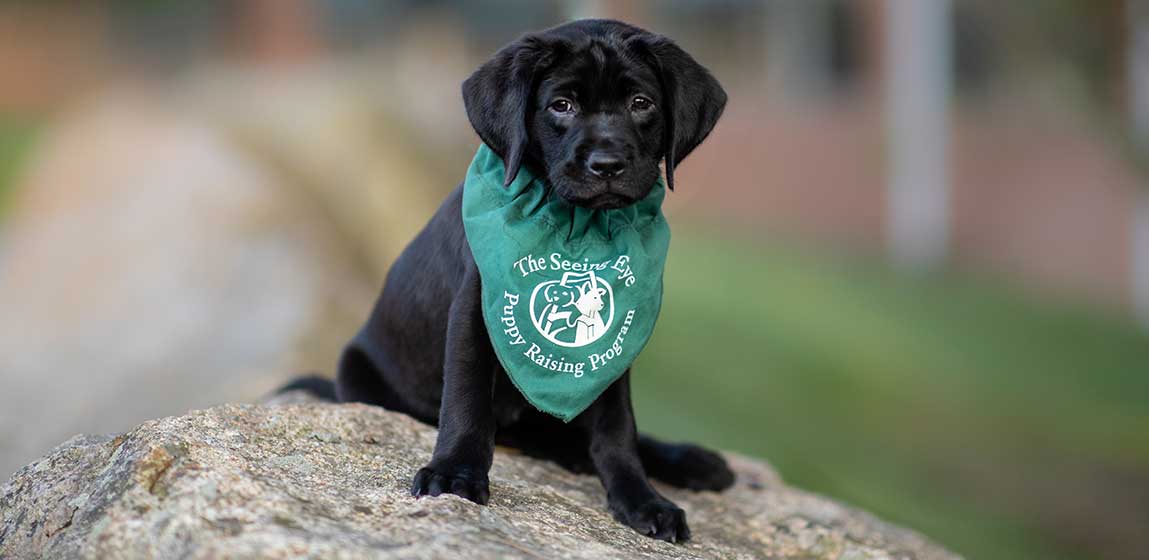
595 106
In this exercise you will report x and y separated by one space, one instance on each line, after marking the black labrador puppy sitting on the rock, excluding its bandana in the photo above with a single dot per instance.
595 106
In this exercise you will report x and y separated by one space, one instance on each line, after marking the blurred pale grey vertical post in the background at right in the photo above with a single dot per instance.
919 67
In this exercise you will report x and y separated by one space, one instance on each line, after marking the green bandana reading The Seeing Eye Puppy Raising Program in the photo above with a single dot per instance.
570 295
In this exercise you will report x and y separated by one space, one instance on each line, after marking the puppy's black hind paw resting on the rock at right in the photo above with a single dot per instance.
684 465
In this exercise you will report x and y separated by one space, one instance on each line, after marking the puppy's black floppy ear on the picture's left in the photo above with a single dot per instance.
499 97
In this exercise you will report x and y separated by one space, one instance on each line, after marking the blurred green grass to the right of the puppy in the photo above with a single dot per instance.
973 413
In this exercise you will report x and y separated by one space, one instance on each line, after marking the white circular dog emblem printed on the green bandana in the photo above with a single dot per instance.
575 311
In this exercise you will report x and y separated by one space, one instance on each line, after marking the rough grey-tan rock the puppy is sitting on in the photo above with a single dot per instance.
331 481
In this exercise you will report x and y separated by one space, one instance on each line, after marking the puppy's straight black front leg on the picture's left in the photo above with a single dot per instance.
467 429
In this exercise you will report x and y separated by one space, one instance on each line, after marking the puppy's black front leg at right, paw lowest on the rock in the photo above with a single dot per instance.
614 450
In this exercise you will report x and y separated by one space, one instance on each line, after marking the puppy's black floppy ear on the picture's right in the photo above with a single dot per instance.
693 99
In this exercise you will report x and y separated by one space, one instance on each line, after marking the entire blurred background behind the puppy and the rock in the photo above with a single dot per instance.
920 237
